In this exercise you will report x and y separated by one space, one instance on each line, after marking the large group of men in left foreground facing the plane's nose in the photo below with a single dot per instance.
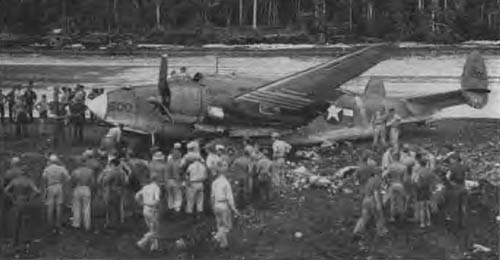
221 182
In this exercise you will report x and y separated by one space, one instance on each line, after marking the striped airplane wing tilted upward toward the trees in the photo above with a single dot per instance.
304 88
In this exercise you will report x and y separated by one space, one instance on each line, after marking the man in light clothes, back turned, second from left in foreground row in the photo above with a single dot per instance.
54 176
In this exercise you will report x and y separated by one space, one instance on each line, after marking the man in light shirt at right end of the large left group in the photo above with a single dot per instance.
280 151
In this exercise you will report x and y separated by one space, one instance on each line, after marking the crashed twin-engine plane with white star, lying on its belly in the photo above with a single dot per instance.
180 109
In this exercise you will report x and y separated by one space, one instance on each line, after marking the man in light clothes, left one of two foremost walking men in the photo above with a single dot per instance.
149 197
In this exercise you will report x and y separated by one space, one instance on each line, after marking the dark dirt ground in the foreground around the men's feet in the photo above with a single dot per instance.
267 232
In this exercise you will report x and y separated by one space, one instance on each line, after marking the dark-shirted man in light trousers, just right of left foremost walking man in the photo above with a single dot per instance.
173 179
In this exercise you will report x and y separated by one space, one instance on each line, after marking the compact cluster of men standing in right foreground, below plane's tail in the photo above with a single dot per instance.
409 184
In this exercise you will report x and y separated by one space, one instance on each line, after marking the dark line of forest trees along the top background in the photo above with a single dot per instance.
419 20
